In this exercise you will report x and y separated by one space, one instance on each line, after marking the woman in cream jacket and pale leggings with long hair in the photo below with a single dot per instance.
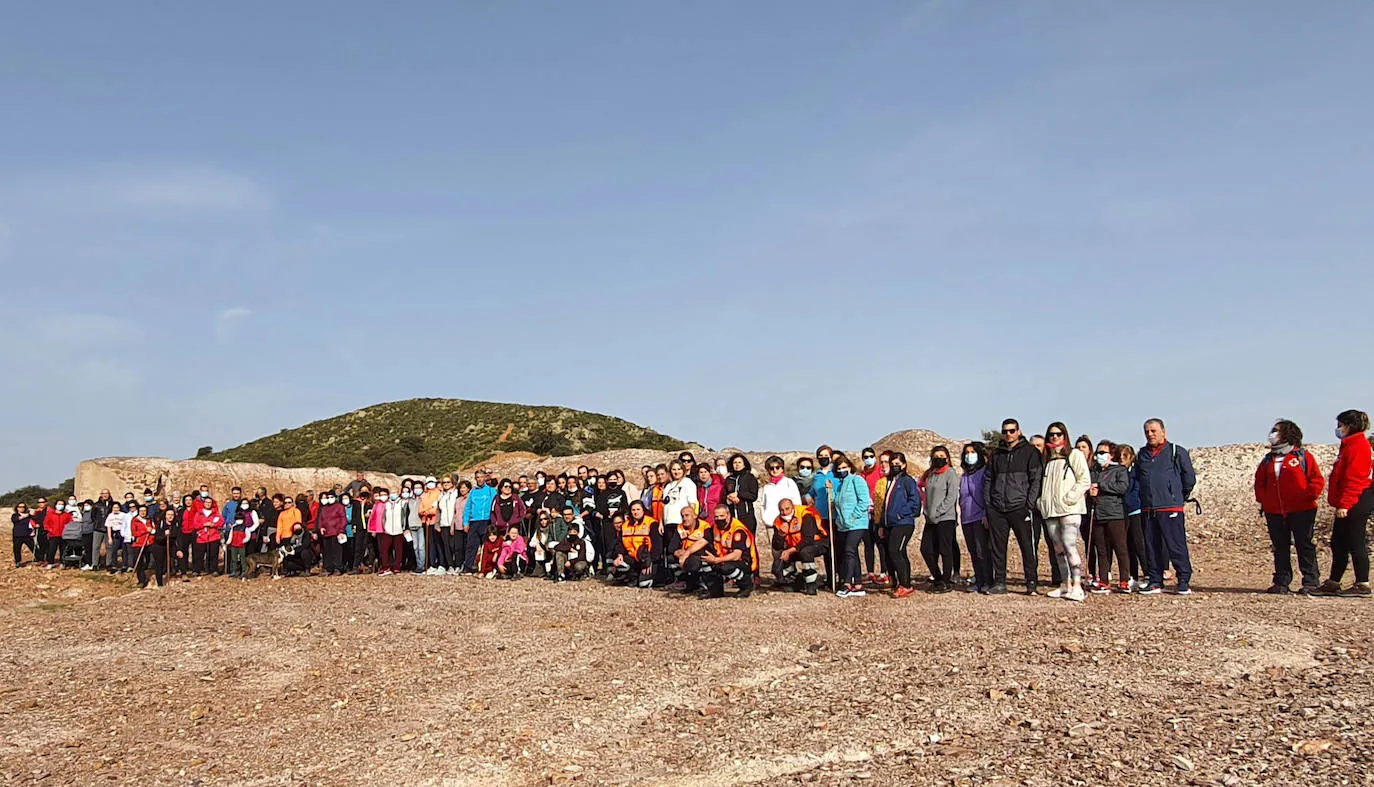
1067 480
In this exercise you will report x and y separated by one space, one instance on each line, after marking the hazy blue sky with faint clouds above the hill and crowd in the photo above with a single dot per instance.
765 225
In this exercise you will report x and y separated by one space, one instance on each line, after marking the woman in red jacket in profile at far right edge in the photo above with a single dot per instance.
1353 498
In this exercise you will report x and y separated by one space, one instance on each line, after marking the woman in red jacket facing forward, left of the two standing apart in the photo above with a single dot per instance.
1288 486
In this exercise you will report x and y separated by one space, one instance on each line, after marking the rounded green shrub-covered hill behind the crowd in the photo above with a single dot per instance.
431 436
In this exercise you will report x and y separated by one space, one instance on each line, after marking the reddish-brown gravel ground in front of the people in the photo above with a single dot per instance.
454 681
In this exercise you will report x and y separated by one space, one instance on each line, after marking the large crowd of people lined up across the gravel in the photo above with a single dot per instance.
1114 518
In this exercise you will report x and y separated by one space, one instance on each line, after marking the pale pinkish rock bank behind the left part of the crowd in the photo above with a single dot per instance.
167 477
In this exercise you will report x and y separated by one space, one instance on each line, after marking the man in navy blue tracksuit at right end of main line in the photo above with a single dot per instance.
1166 479
